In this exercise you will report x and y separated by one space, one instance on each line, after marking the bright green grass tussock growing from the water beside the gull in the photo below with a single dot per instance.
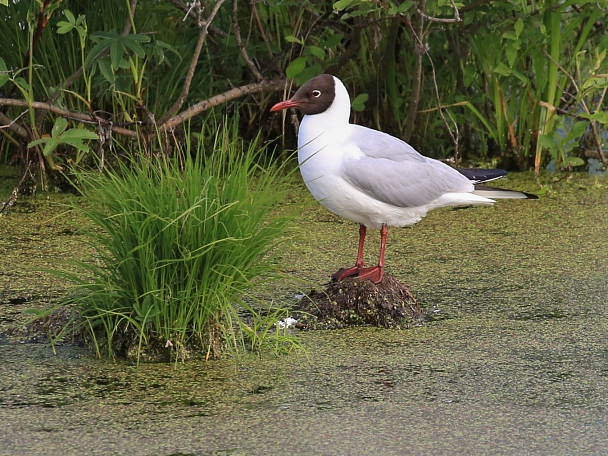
182 245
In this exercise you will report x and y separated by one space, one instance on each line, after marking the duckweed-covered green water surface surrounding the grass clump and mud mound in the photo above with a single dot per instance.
513 359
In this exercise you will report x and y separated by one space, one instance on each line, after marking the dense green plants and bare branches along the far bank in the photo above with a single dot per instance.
513 83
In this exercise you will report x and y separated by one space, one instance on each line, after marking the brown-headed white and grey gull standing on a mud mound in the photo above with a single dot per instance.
372 178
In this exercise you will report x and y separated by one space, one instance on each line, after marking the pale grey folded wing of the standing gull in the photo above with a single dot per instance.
392 171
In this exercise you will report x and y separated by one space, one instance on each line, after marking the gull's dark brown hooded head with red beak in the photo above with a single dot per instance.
314 97
